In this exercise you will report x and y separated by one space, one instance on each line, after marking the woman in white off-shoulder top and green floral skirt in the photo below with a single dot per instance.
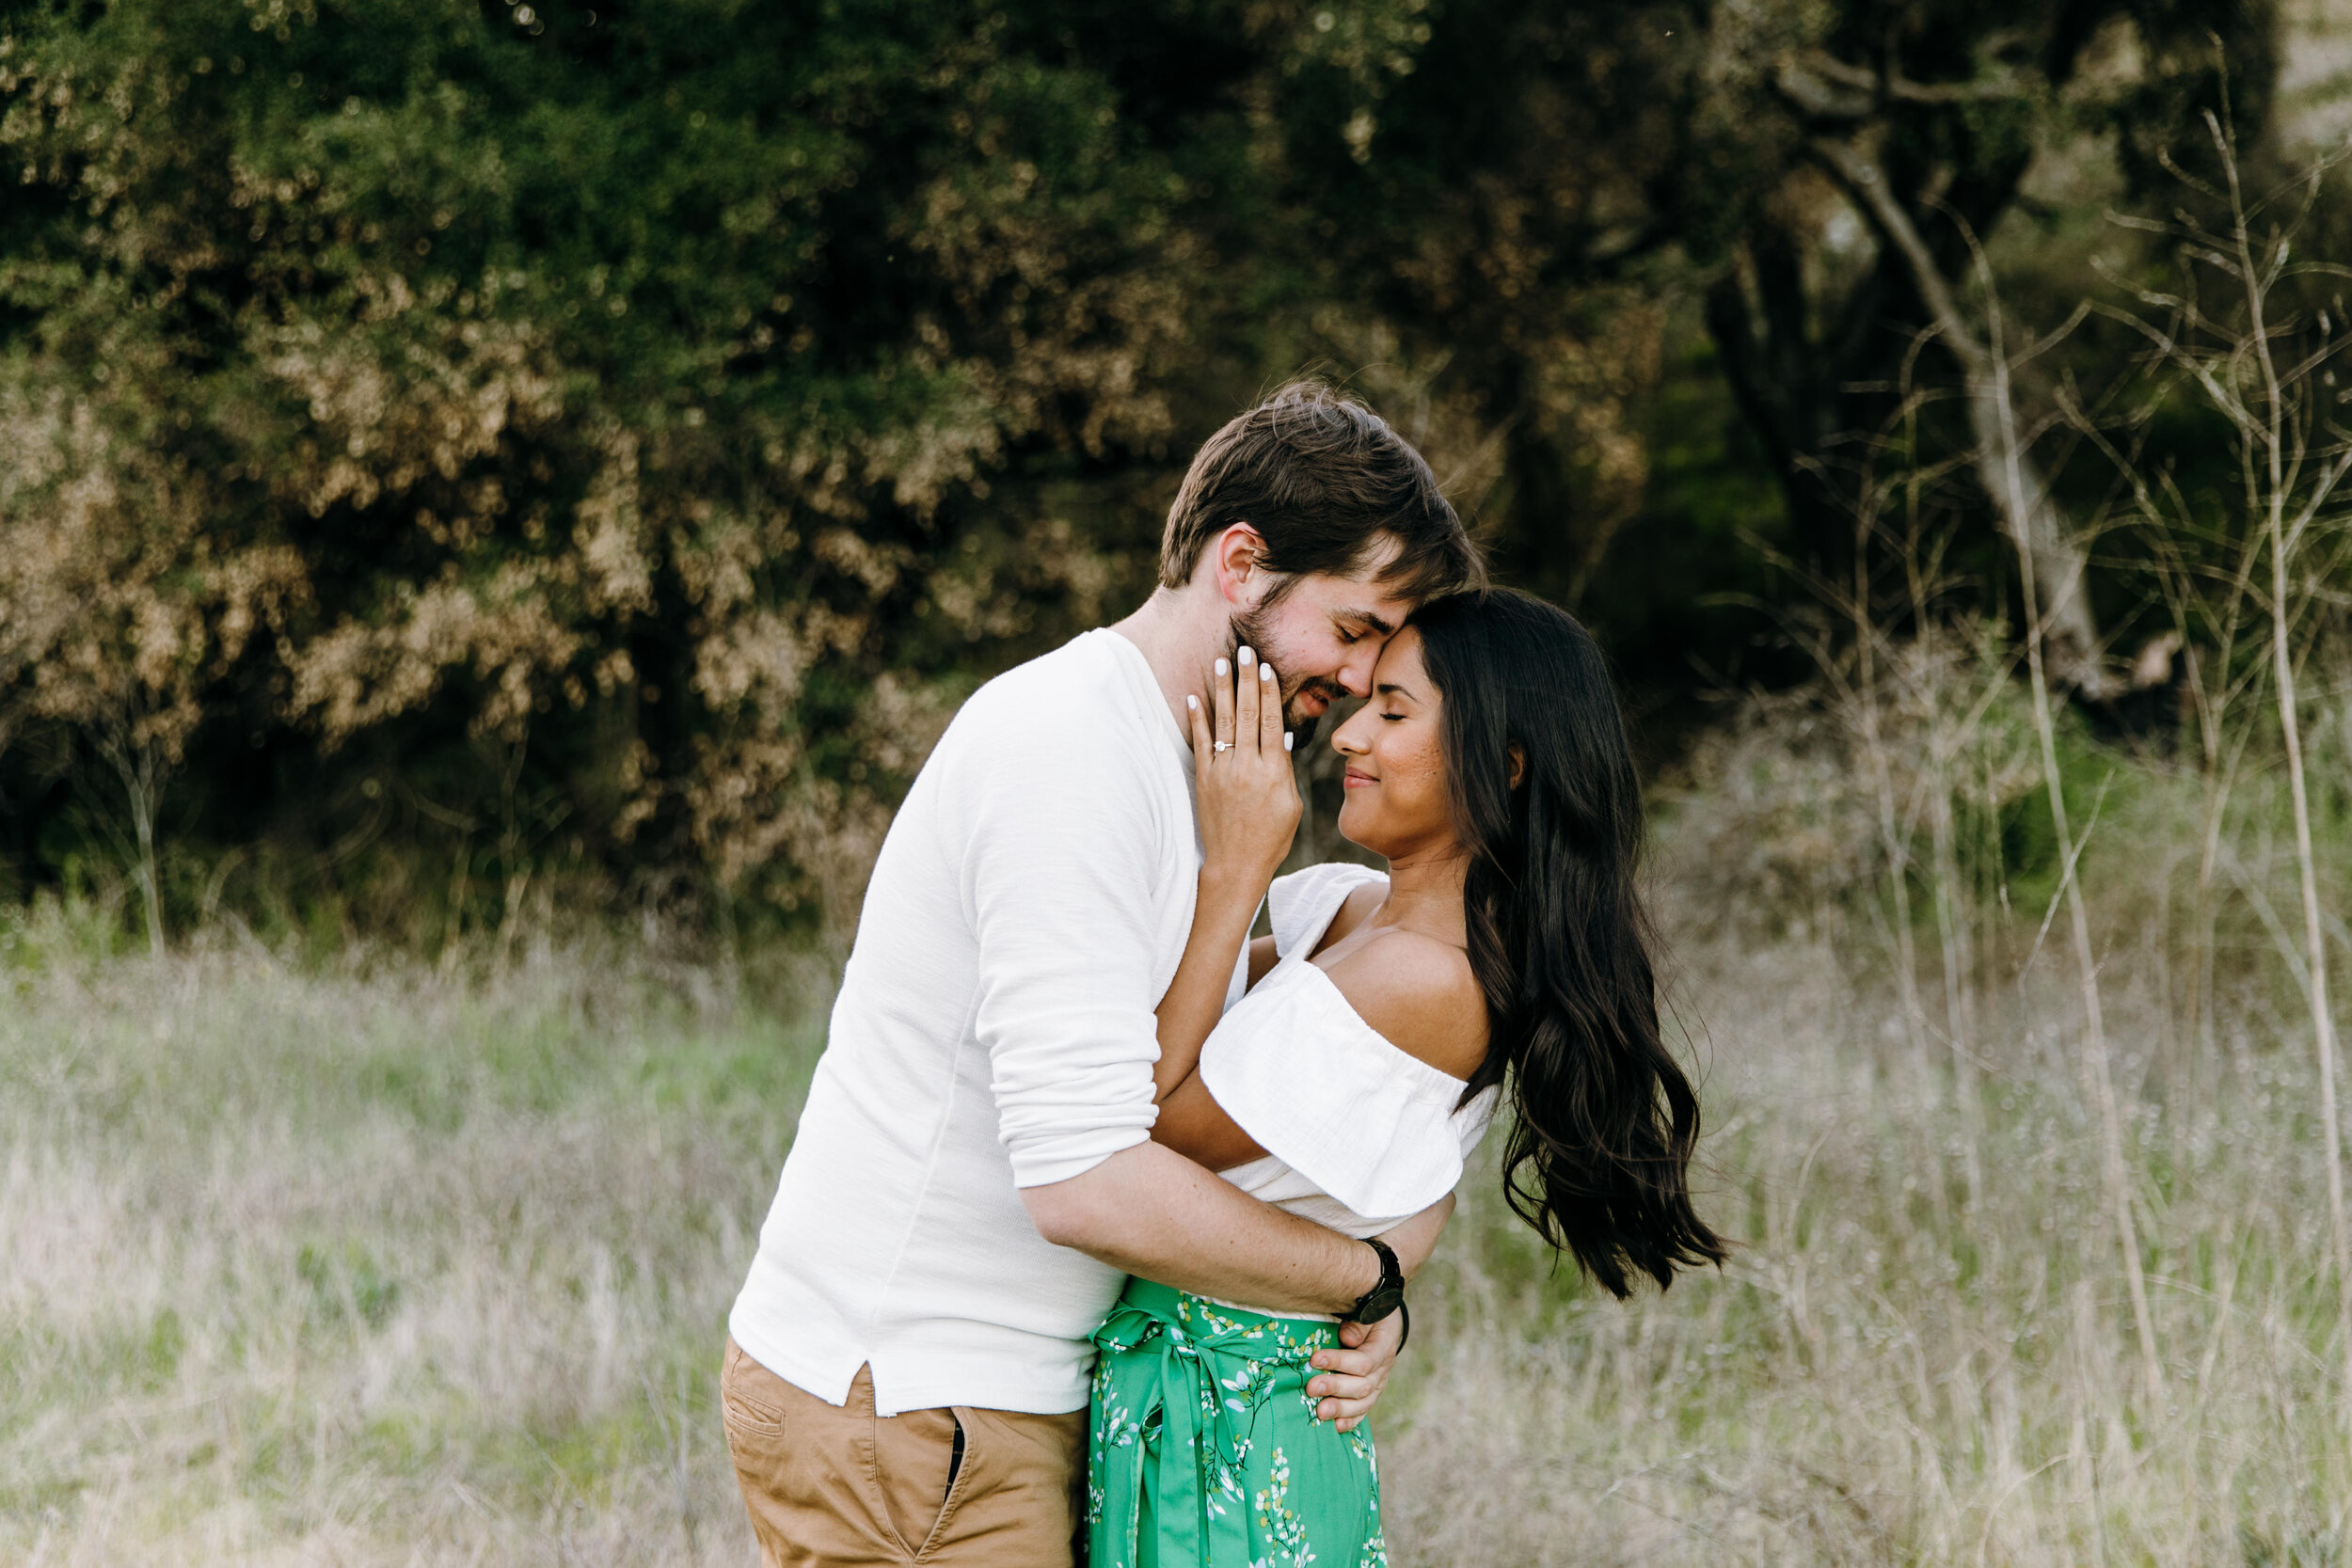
1502 958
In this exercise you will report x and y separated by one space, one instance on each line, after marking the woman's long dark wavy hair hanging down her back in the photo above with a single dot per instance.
1605 1120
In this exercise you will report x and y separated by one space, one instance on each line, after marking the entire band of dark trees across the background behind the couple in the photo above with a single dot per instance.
467 450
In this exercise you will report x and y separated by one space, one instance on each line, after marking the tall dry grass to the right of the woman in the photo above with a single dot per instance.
1927 1348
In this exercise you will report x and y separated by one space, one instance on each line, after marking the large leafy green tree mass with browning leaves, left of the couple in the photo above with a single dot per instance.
540 413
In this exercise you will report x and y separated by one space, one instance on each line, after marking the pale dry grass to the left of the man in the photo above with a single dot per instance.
375 1266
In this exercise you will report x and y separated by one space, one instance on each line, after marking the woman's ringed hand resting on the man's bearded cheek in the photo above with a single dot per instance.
1248 798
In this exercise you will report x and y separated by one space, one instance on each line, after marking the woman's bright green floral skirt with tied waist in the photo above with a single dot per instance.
1205 1449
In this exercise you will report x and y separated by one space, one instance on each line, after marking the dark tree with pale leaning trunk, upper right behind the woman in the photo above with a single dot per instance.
1518 201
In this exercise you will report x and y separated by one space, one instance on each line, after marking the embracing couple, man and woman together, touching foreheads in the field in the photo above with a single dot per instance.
1097 1228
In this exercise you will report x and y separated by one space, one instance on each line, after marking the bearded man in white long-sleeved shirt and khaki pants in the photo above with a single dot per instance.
973 1179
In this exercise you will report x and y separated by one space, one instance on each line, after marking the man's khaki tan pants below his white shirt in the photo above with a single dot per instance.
838 1485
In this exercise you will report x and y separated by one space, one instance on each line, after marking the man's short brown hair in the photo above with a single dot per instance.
1321 478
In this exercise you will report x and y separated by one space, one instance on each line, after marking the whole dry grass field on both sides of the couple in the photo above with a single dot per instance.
382 1264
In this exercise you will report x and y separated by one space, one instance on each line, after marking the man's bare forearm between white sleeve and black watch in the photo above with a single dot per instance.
1156 1214
